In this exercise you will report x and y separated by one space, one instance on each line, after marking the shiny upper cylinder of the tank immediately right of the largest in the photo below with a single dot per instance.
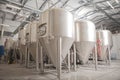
85 31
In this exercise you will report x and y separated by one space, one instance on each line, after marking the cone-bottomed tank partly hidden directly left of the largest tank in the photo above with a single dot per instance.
31 38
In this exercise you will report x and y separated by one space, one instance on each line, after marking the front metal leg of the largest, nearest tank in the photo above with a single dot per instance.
59 51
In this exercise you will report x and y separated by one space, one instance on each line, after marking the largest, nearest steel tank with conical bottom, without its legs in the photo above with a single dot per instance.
56 23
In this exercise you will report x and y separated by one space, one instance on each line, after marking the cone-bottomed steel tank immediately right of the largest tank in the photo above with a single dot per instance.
85 39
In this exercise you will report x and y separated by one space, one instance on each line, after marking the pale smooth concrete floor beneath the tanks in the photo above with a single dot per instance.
86 72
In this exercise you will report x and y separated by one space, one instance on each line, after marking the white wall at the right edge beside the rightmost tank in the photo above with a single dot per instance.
115 51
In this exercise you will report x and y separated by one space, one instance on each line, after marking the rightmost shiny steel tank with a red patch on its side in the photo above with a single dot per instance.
104 42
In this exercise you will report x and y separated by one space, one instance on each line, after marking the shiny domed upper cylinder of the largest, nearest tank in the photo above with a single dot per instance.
59 22
